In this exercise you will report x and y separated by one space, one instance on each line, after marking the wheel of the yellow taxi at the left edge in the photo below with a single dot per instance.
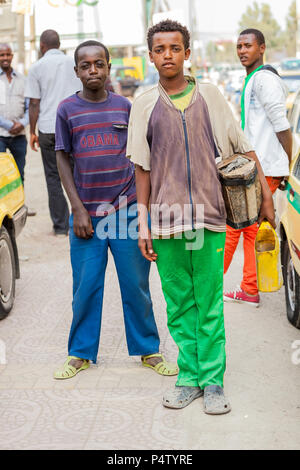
7 273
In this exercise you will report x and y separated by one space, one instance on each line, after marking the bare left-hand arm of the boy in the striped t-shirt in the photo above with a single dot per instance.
82 224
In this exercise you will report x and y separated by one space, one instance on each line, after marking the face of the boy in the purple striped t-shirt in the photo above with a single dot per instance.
92 67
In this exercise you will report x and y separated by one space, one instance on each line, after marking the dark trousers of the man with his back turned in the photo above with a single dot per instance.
58 206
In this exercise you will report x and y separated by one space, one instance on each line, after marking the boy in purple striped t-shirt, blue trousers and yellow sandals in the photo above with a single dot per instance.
92 127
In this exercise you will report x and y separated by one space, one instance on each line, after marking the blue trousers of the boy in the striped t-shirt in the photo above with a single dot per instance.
89 261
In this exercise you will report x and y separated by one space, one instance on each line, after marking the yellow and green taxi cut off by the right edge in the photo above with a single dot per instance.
288 207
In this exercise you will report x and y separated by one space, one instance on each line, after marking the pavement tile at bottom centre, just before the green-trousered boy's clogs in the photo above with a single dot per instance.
137 421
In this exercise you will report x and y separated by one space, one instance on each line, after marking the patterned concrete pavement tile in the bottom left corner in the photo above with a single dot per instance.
48 420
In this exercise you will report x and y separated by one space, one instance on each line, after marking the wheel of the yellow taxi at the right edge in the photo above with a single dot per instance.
292 287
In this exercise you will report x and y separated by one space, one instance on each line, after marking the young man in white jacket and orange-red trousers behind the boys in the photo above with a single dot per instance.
264 120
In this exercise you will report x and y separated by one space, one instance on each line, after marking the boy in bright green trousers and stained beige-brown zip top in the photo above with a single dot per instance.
176 132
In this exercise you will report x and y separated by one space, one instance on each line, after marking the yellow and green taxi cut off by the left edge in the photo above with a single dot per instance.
13 215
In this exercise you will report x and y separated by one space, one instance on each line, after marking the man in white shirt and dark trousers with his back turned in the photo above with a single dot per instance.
50 80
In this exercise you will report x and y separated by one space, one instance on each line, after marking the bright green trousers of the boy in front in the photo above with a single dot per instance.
192 283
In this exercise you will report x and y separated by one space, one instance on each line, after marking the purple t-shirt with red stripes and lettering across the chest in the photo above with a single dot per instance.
96 136
